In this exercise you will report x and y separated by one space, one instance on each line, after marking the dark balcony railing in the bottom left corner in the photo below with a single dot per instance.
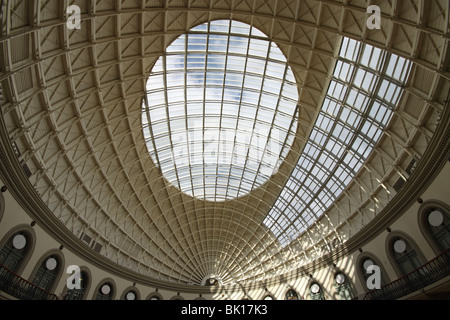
20 288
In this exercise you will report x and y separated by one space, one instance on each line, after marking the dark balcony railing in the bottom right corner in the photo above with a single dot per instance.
431 272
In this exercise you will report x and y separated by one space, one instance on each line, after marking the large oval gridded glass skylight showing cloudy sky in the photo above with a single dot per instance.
219 114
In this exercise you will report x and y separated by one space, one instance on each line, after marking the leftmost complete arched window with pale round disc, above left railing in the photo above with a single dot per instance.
14 250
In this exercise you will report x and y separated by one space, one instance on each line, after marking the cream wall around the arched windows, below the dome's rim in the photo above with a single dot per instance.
14 217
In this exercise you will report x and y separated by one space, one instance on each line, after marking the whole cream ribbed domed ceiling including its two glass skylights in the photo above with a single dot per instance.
320 127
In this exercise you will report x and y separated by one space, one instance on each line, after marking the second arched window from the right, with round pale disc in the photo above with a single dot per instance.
405 256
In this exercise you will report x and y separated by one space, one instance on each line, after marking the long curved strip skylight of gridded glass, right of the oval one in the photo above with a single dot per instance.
366 86
